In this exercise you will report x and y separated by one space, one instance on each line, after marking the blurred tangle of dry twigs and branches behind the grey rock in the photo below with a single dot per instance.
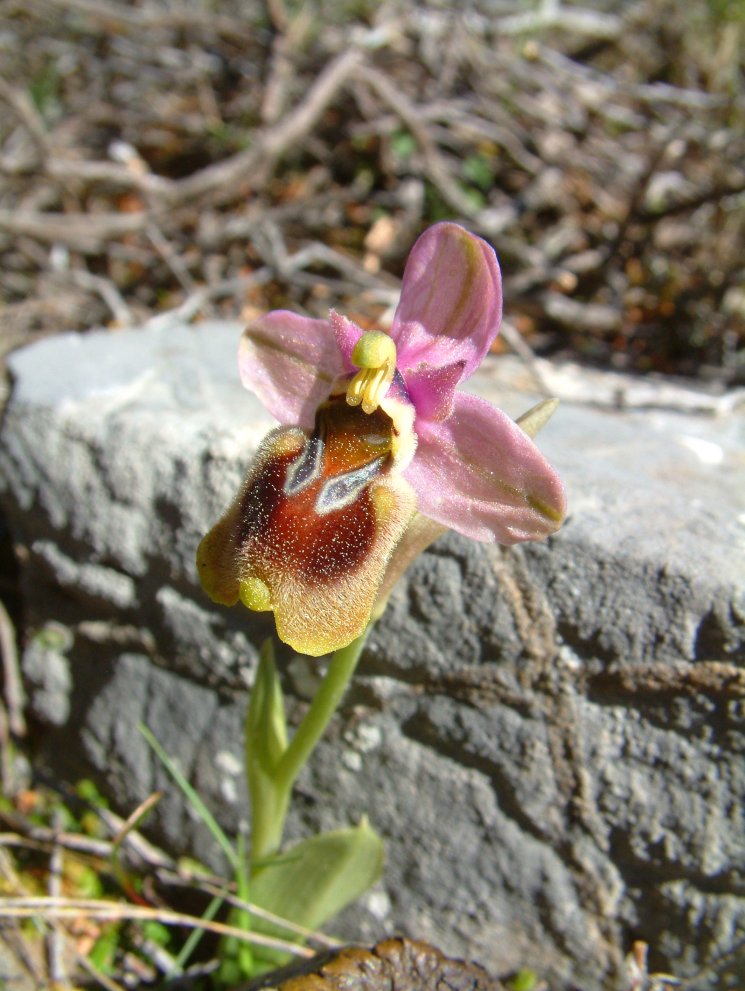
224 158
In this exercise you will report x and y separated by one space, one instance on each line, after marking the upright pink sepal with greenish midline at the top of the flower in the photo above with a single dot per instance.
451 300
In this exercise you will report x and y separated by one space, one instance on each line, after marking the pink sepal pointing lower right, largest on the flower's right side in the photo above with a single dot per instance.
479 474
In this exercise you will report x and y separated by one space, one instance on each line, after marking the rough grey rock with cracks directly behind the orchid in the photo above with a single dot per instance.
553 734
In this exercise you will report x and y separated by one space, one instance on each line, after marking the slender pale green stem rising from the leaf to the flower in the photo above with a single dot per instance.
268 815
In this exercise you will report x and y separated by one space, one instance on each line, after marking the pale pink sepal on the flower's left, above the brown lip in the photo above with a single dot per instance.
290 362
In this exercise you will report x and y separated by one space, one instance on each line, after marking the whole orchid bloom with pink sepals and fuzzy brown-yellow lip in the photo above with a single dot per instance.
377 451
